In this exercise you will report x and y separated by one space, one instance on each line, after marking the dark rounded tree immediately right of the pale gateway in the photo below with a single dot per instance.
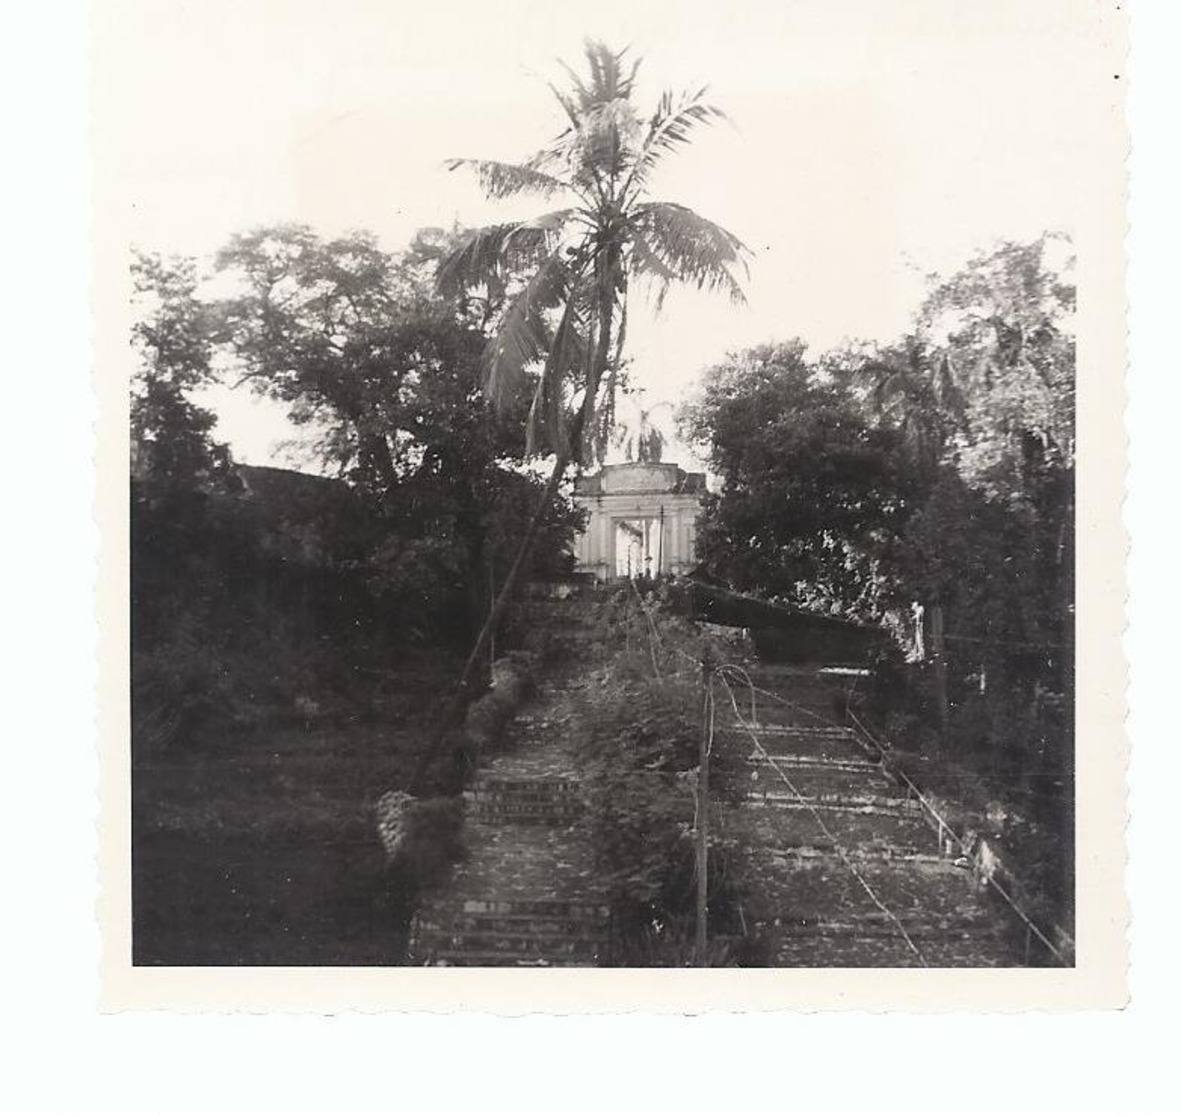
813 497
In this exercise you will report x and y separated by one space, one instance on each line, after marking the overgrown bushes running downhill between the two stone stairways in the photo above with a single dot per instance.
641 729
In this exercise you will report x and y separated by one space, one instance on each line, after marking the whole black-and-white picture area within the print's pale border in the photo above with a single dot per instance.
604 485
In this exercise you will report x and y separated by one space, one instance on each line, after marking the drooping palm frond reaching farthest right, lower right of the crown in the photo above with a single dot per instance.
695 251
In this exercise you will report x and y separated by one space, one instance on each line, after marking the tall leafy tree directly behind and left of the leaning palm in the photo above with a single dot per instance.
362 349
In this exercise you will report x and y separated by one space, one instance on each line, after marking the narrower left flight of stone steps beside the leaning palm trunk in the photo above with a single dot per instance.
526 894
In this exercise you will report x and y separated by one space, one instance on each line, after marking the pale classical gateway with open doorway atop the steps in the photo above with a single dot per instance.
642 520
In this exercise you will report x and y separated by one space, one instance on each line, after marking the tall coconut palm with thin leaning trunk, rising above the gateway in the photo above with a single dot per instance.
566 325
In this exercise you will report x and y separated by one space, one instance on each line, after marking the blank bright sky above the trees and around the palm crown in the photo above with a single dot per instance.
871 142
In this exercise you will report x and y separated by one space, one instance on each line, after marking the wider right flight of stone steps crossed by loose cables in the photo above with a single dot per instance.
832 840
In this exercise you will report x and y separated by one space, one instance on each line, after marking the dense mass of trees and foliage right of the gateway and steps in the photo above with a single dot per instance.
935 476
